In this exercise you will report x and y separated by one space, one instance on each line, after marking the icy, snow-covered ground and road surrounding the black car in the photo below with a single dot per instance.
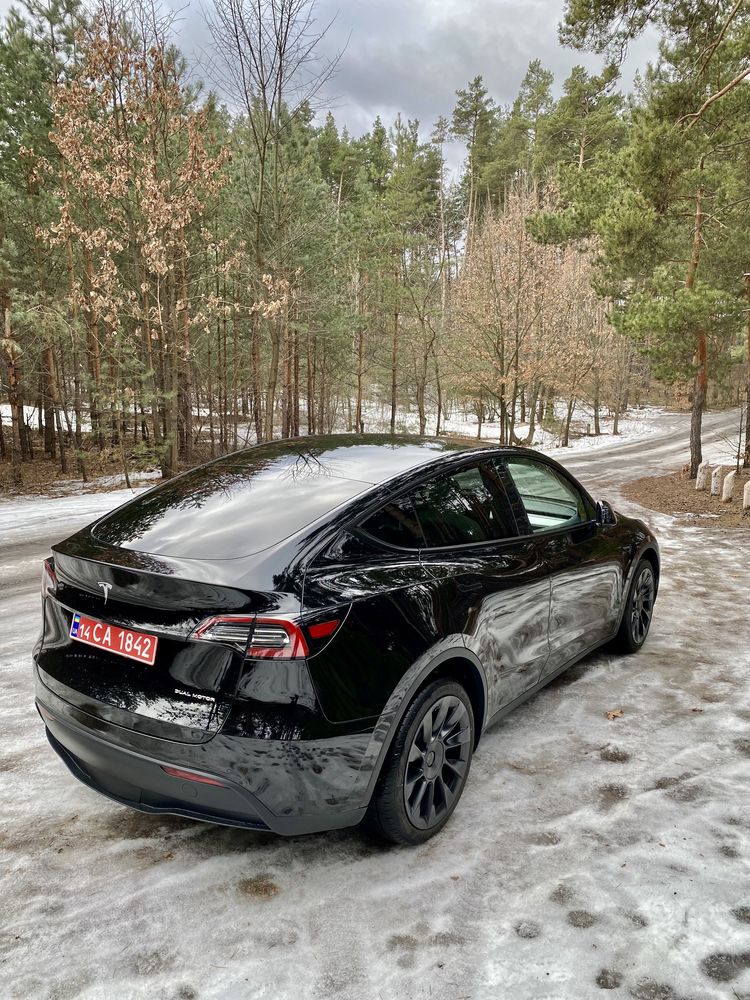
587 855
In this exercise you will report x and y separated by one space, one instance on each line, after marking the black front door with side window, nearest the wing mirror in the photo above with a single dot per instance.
585 572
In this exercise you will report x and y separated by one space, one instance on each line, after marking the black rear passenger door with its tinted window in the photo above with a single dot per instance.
492 584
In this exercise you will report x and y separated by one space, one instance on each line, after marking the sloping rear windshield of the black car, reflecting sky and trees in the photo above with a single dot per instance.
241 504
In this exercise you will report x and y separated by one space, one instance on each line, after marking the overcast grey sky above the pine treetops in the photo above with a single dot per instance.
412 55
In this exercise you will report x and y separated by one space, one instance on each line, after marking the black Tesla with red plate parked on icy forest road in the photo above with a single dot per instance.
315 632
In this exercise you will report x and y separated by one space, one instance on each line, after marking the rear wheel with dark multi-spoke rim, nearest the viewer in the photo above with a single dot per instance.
427 766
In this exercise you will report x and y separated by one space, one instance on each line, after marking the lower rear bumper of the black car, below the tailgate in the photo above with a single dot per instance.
286 787
